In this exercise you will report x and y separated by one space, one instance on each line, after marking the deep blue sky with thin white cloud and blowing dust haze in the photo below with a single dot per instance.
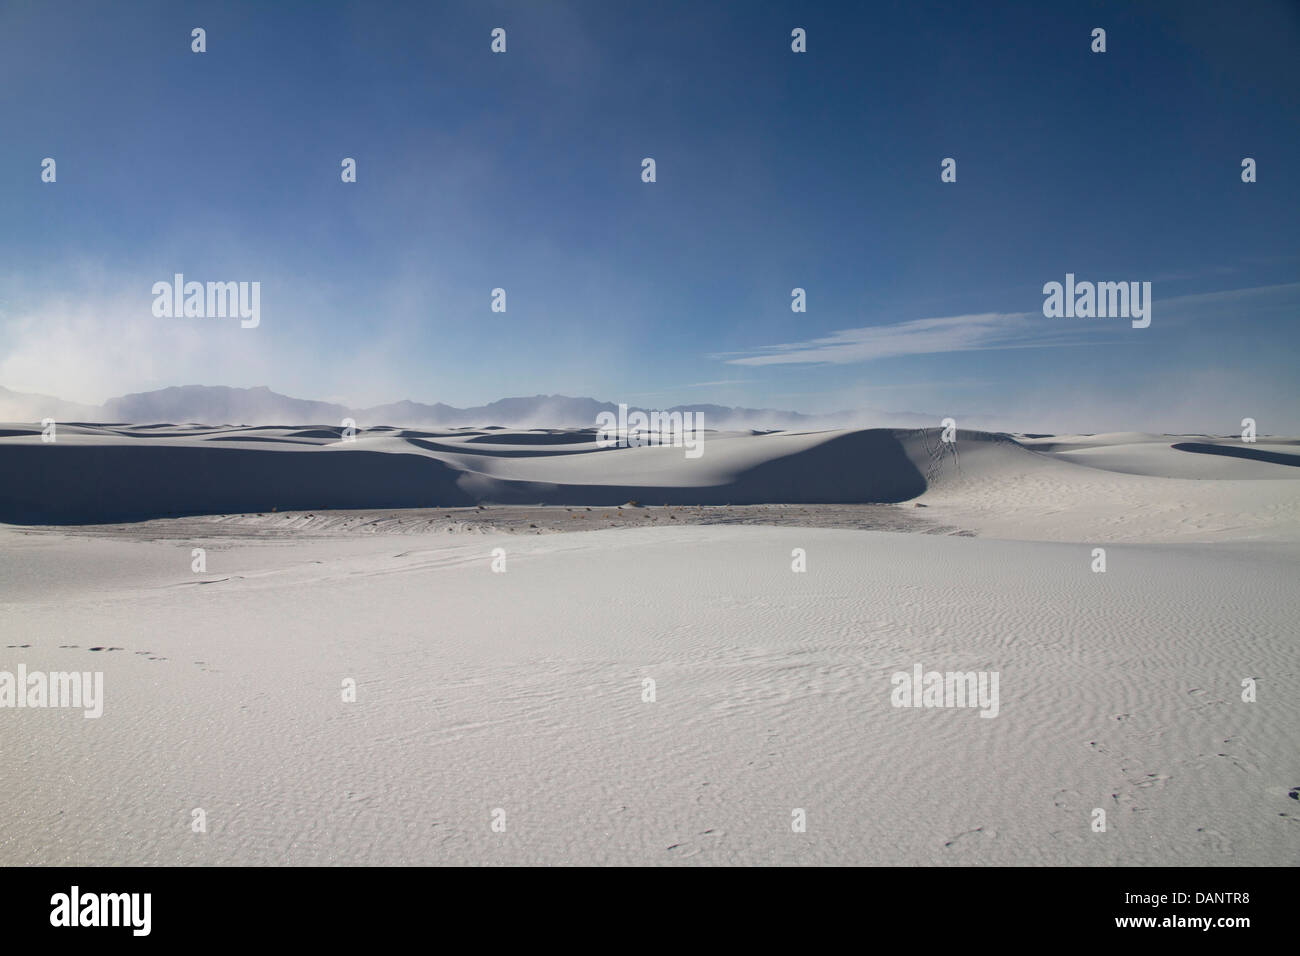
523 171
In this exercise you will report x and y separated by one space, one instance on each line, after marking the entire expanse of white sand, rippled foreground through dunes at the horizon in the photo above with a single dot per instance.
525 690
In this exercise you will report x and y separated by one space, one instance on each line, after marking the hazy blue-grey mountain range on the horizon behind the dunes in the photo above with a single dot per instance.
220 405
